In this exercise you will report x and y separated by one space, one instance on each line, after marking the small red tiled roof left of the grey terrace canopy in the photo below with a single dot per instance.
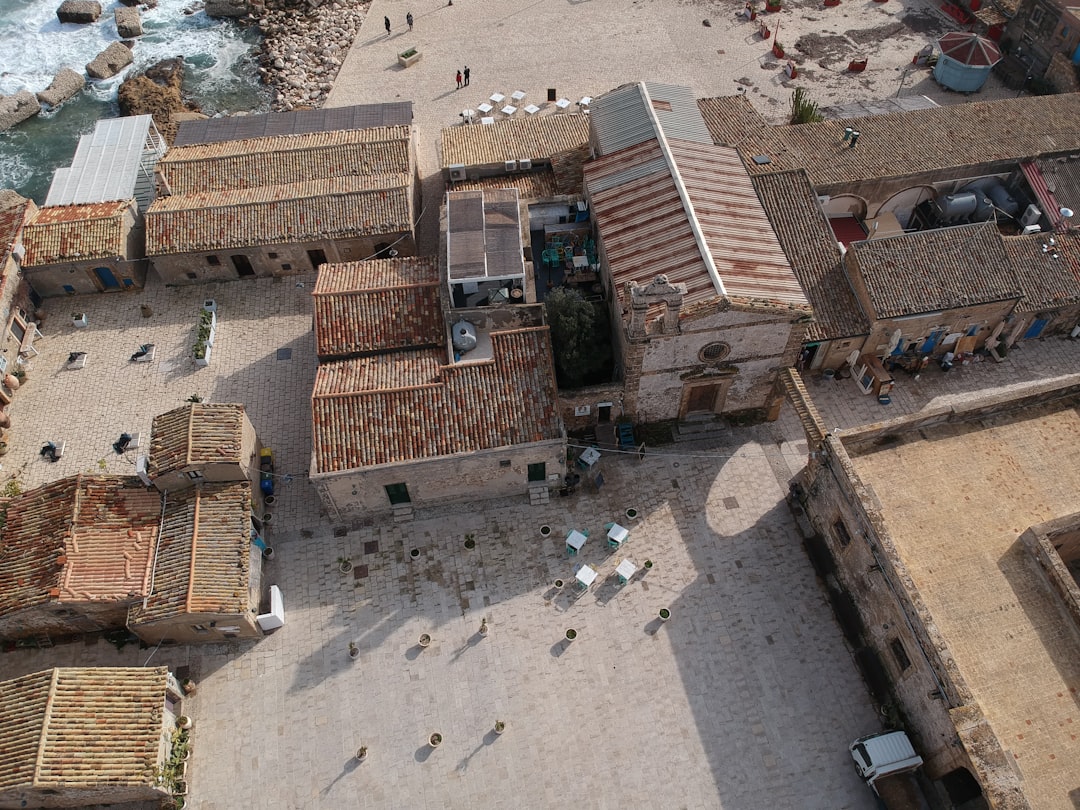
380 305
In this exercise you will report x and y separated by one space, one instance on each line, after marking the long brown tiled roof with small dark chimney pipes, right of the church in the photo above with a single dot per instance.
921 142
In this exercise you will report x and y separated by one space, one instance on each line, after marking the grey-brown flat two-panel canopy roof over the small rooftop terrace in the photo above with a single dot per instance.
484 236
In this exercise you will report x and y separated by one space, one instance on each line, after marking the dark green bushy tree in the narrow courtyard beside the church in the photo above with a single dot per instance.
579 352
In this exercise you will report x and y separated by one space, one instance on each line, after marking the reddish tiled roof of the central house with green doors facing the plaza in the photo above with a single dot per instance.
411 407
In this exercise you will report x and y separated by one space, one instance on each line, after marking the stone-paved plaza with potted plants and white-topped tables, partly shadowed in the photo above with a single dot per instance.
746 699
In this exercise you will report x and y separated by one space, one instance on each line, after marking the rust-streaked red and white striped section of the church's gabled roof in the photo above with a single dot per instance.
646 228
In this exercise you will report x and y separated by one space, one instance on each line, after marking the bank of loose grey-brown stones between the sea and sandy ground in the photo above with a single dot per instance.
304 48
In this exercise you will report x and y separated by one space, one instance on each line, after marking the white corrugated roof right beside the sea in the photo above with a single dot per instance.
107 163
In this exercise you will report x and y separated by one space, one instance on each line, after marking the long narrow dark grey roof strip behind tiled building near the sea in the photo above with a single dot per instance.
240 128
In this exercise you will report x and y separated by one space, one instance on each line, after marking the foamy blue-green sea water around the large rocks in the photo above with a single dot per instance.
221 76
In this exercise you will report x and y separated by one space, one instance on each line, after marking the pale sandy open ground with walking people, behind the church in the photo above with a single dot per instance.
582 48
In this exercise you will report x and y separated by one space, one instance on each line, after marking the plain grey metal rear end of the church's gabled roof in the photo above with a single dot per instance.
631 115
